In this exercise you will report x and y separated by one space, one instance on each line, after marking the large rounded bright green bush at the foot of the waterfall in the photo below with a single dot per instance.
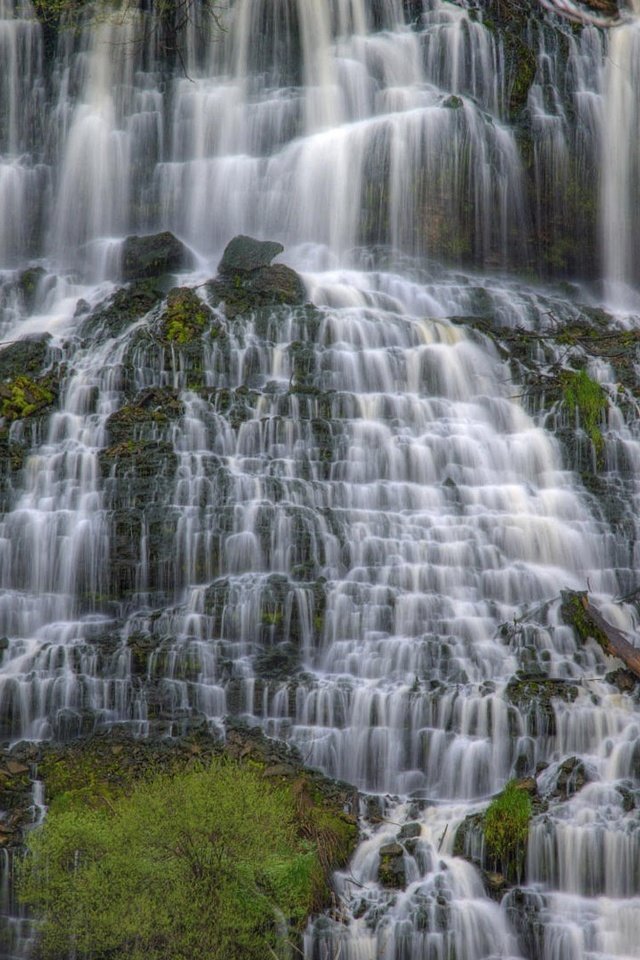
202 865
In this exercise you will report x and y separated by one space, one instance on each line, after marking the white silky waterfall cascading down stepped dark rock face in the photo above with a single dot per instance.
340 521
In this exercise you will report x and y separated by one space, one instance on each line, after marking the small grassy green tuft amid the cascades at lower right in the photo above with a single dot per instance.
506 826
